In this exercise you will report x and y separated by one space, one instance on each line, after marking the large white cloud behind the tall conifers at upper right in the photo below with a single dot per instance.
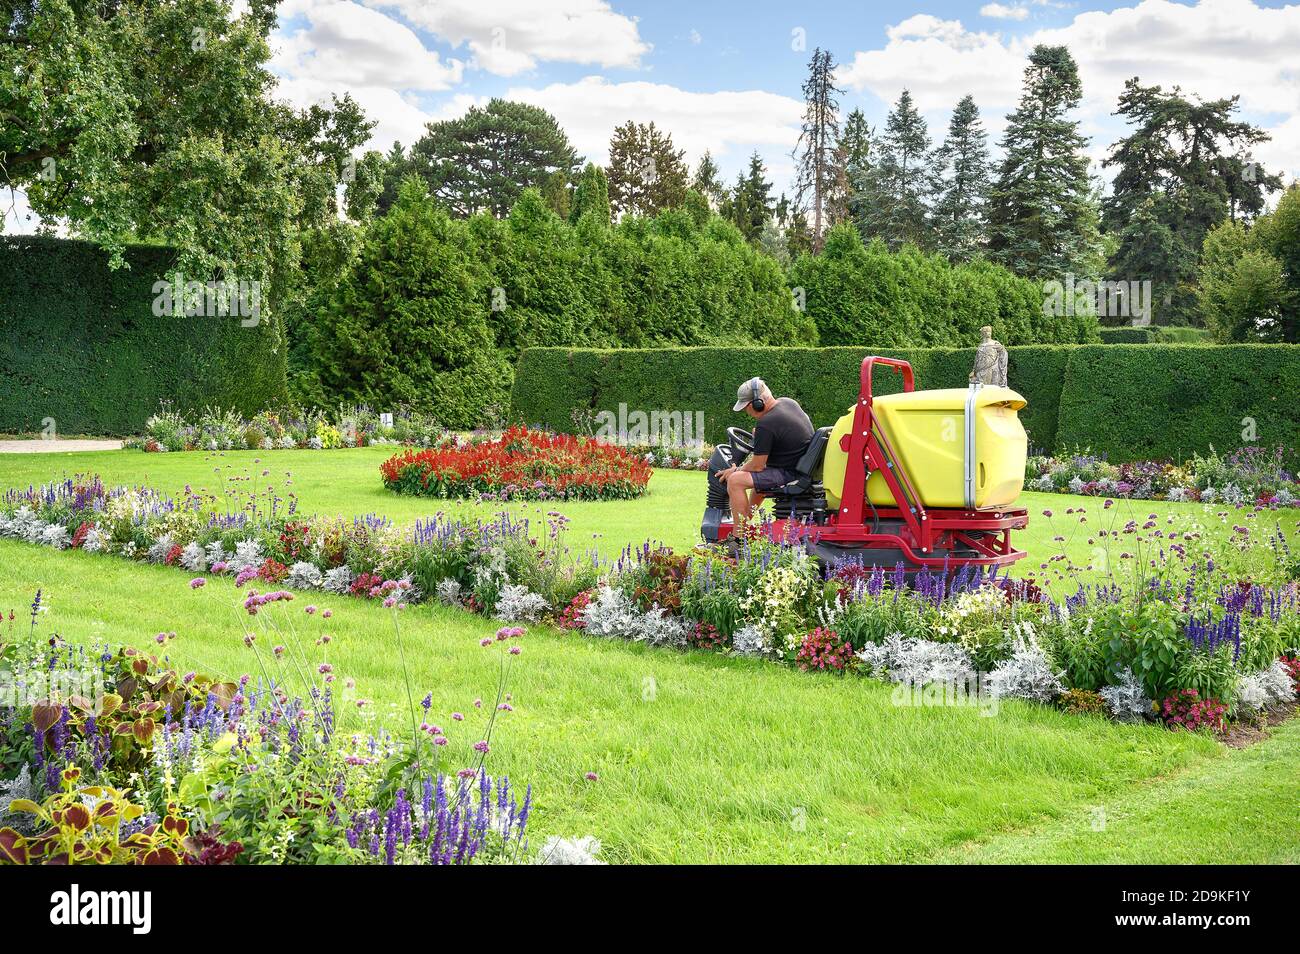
1214 49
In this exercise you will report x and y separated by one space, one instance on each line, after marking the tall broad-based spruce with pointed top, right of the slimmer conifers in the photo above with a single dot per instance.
1038 211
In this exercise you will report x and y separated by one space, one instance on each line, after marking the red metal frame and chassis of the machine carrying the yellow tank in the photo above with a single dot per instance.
926 537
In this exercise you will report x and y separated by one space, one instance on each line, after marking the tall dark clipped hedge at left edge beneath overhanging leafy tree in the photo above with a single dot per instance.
80 344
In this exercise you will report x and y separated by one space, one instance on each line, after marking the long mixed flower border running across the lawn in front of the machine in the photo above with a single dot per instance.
1184 610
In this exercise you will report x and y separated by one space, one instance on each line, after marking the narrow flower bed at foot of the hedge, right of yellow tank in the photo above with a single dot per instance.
1249 476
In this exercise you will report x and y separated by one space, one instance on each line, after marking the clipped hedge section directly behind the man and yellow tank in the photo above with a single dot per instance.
554 384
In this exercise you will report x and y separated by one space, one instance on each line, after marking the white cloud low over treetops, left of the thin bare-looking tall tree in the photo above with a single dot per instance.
727 124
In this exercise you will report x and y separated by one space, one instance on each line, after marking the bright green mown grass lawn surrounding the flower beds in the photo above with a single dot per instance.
701 758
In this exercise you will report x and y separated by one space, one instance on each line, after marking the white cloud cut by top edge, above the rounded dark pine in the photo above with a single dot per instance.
510 37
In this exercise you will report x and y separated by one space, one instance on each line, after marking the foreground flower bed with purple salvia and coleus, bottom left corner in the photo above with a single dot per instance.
122 758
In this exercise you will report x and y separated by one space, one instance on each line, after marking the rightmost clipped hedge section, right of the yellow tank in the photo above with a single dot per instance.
1138 402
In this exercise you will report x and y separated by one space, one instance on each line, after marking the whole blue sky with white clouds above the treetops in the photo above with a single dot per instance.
726 76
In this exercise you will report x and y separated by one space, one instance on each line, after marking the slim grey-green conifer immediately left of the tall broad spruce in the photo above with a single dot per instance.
960 226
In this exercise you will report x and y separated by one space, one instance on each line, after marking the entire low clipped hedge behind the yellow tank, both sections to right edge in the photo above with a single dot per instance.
1130 402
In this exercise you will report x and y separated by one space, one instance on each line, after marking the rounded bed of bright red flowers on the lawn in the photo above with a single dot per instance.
522 465
